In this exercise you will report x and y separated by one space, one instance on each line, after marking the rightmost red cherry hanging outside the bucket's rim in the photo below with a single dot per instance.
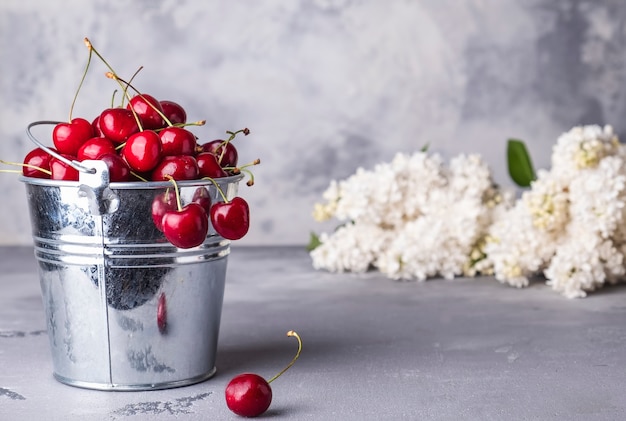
231 219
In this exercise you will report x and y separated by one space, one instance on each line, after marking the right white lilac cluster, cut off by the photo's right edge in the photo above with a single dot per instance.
569 225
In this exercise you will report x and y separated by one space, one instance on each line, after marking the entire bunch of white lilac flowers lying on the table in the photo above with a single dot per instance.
416 218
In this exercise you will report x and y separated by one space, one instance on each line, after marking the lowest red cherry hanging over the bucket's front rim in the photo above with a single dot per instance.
187 227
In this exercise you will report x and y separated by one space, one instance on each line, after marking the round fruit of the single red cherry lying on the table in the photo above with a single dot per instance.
248 395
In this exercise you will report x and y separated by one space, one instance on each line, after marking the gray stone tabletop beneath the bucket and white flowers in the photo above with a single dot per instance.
374 349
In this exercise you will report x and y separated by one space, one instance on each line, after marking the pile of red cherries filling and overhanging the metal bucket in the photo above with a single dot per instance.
146 139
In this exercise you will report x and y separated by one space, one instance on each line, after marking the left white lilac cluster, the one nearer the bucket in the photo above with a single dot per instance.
412 218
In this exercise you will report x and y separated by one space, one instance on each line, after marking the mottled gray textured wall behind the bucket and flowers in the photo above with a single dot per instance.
324 85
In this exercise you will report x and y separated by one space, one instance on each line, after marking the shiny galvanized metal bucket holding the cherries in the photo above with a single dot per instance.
125 309
